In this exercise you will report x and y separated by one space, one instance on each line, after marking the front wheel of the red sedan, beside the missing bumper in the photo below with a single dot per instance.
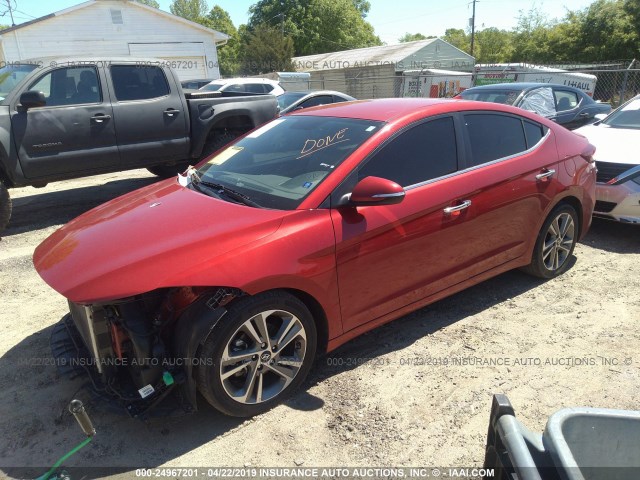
254 380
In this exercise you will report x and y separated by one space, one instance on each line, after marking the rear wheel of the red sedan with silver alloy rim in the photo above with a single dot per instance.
555 243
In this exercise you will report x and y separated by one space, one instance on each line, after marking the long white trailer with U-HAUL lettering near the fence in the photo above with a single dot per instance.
488 74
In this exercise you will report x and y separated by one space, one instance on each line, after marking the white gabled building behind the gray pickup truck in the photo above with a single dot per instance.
116 28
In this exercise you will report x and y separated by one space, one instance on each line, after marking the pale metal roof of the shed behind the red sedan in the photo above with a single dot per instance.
363 57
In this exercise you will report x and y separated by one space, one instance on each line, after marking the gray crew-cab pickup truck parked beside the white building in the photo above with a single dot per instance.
68 118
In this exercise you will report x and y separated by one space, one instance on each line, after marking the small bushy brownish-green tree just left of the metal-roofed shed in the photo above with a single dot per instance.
266 50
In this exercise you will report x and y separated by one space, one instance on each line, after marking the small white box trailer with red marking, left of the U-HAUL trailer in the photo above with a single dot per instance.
433 83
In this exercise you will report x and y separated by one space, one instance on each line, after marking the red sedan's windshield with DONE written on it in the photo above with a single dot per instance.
279 164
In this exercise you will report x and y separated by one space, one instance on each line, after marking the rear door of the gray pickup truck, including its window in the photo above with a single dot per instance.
150 115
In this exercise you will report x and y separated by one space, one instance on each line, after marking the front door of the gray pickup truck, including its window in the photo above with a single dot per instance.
74 132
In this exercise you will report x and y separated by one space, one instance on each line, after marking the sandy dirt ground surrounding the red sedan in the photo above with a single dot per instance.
416 392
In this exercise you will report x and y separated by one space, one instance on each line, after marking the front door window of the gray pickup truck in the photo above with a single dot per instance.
69 86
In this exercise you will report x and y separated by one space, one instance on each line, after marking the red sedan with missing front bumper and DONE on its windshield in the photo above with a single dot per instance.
305 233
